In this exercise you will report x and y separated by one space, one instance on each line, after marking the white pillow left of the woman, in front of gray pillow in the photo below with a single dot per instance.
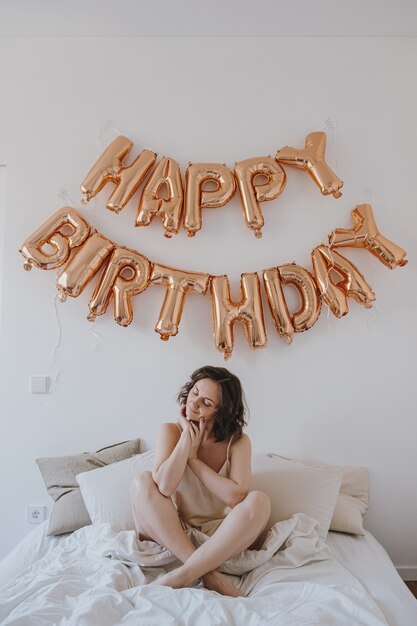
106 491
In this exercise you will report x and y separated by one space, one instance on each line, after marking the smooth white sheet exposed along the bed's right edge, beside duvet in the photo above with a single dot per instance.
366 559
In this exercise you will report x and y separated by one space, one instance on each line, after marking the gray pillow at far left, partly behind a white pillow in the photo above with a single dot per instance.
69 512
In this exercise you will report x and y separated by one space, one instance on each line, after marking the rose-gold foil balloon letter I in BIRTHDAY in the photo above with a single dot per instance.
83 266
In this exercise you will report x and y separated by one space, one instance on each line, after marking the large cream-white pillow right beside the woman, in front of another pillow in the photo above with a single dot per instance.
297 488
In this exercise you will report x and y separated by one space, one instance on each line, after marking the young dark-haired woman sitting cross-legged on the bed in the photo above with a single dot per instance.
201 479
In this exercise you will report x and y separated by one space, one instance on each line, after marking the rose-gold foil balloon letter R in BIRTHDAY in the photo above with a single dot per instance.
122 288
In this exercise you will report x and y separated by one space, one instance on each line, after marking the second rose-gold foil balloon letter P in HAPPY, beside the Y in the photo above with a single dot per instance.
252 193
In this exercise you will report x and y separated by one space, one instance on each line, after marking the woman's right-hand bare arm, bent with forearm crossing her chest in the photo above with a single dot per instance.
230 490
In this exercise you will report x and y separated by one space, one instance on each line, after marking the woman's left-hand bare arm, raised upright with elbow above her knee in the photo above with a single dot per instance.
171 455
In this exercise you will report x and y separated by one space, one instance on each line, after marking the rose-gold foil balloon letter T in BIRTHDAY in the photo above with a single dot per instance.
177 284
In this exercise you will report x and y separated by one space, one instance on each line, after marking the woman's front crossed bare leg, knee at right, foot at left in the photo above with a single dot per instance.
238 531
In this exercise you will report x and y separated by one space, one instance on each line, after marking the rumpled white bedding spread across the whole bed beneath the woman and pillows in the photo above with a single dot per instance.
39 577
